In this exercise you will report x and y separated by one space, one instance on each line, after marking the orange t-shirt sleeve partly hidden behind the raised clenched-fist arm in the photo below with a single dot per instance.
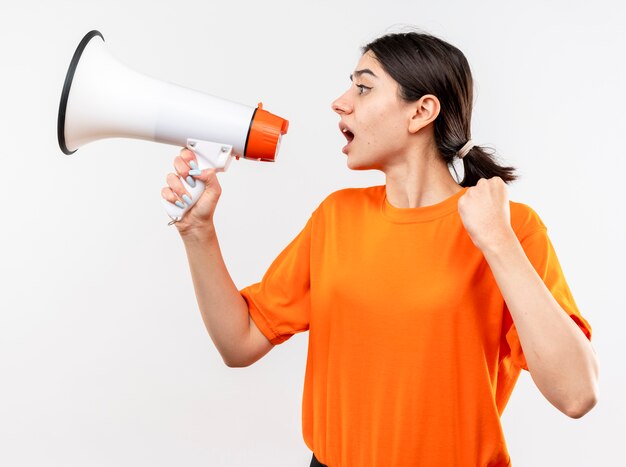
542 255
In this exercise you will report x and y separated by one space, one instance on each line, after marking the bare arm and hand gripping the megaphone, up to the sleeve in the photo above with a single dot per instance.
224 311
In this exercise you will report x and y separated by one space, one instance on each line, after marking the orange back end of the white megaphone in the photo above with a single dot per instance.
264 137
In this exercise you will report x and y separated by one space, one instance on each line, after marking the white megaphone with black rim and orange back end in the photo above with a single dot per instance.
103 98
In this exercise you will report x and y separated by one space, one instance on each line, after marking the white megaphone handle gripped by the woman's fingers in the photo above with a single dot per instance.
209 155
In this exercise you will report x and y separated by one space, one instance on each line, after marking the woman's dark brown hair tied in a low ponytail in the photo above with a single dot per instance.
424 64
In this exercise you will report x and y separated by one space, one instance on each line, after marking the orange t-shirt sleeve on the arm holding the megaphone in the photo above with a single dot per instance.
280 304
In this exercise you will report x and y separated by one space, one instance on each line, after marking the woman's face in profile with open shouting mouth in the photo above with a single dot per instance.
374 119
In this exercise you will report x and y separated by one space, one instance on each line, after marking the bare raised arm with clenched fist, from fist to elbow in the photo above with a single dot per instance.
559 356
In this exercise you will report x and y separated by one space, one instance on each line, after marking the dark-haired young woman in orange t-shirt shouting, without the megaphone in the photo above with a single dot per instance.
424 298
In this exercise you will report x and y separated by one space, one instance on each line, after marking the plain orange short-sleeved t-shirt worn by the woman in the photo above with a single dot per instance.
412 351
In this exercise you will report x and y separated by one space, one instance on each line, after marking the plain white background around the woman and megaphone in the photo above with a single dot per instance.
104 359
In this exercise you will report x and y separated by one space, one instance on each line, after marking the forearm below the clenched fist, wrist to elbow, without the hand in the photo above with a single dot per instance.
560 358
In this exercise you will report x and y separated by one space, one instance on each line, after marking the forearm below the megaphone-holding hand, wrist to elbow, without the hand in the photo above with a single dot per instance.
224 311
